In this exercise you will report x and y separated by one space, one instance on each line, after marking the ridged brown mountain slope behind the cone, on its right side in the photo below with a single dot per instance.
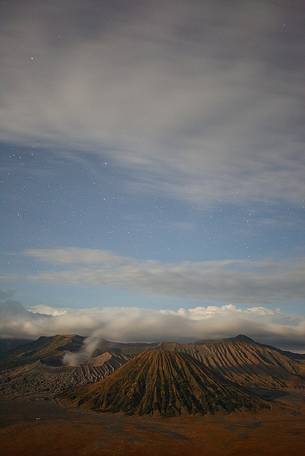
246 362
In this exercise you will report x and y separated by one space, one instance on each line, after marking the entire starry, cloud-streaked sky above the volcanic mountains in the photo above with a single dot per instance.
152 169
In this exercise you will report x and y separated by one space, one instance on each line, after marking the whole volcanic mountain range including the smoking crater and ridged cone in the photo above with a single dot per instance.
167 378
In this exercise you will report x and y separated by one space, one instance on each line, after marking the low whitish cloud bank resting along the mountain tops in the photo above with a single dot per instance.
138 324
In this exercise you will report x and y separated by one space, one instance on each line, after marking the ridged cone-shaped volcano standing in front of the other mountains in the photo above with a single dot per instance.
167 383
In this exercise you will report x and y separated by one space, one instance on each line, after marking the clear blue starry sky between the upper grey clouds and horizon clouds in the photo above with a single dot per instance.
55 202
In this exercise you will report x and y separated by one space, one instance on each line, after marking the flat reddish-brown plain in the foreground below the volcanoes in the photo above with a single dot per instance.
36 427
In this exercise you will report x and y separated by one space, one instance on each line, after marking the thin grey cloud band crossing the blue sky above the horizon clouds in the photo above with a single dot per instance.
255 282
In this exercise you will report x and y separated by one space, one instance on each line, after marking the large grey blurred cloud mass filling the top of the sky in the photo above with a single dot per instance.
199 101
